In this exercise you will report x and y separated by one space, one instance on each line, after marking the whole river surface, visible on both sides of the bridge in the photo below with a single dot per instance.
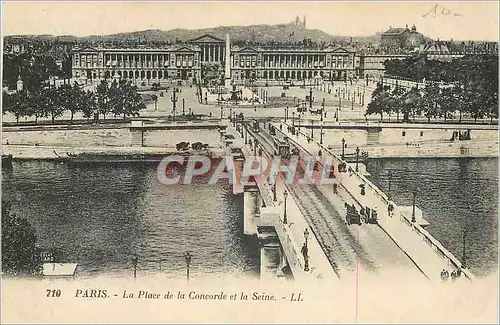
100 216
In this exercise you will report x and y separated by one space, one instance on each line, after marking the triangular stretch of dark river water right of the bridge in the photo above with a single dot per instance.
454 194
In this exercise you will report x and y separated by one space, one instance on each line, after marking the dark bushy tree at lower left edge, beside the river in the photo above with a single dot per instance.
20 254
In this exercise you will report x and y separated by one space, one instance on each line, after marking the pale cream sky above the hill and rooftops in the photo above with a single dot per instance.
458 20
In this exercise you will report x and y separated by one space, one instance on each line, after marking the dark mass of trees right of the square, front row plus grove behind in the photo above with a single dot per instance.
467 86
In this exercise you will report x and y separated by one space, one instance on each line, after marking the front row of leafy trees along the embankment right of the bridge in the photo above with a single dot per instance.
433 102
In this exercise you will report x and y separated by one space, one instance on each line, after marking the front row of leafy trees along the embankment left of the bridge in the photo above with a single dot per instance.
117 98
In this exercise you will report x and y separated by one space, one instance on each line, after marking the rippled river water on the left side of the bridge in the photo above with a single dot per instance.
99 216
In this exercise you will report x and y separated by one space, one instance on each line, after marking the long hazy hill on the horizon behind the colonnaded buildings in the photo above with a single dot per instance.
255 33
